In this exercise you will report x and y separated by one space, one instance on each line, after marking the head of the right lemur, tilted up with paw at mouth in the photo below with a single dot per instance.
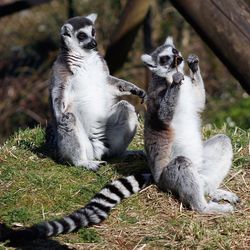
164 59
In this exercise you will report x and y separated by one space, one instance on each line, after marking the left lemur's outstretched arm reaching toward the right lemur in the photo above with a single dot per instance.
122 87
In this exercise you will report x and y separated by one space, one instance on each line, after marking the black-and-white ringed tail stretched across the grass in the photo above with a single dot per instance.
94 212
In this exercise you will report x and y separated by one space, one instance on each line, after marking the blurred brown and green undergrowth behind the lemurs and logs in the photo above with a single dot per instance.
30 41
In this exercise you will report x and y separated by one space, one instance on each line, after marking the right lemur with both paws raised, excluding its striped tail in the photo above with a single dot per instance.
180 162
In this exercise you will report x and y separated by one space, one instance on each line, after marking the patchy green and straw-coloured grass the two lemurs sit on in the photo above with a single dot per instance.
33 188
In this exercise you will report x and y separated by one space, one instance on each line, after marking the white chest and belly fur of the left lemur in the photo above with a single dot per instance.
88 92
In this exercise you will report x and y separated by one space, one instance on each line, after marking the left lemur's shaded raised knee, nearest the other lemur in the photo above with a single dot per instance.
121 127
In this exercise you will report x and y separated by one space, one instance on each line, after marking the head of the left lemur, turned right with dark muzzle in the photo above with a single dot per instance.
78 33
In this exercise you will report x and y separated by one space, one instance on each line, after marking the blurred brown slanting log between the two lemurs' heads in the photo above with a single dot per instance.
125 33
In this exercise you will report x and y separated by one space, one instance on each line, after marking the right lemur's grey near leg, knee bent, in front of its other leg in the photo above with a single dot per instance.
181 178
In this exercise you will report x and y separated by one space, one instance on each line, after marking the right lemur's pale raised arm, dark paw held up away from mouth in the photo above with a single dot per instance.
198 85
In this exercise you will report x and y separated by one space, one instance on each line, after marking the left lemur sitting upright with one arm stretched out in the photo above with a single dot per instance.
88 123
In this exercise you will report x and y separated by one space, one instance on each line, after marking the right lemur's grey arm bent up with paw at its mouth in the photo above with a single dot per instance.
169 100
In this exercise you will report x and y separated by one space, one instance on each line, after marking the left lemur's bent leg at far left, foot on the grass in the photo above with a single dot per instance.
73 143
